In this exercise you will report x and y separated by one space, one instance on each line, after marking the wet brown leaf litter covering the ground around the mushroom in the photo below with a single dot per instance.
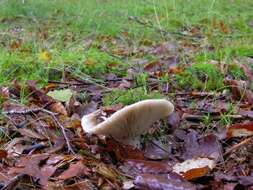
44 147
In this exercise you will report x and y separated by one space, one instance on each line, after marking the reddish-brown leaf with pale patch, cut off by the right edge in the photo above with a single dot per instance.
240 130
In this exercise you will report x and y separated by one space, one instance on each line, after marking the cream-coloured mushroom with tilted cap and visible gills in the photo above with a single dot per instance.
127 124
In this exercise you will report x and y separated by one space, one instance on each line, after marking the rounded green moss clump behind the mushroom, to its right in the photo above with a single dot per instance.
201 76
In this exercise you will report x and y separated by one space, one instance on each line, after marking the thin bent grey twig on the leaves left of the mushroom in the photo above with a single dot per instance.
52 114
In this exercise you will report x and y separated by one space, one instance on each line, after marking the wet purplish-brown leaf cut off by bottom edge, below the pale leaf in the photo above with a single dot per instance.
162 182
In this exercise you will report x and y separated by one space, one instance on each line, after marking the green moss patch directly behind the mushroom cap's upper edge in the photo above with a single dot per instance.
128 96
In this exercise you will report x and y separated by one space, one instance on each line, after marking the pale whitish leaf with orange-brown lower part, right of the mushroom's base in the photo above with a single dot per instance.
194 168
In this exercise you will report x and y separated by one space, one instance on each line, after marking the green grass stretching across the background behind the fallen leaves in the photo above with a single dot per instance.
64 28
